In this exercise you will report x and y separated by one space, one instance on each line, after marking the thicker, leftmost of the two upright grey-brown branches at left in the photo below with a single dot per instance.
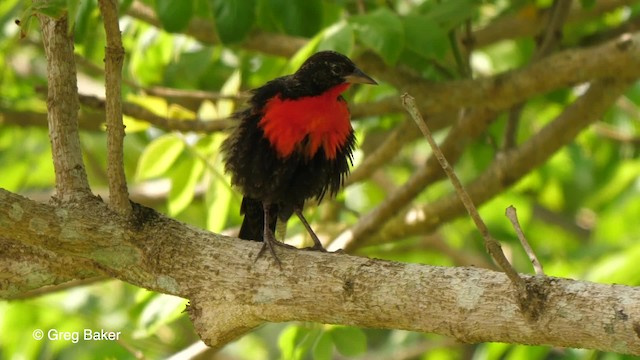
62 105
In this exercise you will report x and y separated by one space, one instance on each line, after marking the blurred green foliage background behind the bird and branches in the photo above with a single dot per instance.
580 210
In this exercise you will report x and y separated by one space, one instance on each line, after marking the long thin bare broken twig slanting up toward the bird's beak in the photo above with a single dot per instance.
492 245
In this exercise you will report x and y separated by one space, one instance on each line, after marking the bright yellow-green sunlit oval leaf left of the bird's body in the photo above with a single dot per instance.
158 156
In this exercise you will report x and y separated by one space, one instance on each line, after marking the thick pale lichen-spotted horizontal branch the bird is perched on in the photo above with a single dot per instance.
230 295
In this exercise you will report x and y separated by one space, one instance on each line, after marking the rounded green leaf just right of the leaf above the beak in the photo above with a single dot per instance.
424 36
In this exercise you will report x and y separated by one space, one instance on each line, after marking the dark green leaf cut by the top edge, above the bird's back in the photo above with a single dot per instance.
233 19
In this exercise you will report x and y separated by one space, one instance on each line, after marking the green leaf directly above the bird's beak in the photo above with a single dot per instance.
381 31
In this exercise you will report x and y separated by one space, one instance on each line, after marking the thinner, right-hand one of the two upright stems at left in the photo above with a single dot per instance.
114 57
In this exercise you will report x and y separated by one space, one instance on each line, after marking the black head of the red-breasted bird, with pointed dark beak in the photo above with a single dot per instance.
326 69
